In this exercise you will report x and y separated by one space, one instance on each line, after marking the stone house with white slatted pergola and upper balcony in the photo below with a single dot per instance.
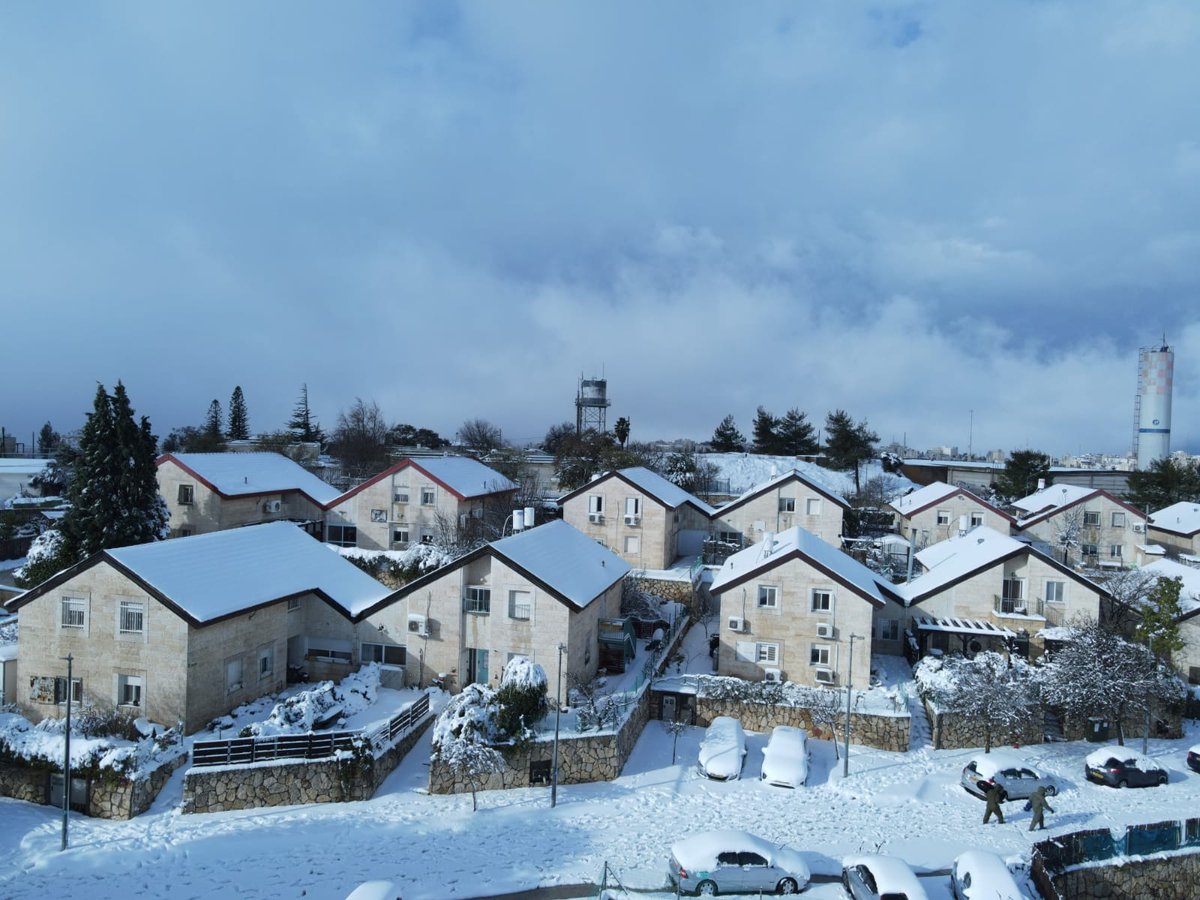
988 591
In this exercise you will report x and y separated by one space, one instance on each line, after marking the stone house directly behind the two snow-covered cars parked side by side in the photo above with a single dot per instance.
790 607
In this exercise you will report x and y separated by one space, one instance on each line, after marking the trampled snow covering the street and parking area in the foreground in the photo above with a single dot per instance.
905 805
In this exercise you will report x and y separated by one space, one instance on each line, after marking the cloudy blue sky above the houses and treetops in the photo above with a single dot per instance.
959 221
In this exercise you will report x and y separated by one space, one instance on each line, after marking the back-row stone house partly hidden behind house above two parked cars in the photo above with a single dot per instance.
787 501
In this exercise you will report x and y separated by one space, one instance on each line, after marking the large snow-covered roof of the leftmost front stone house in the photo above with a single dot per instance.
221 574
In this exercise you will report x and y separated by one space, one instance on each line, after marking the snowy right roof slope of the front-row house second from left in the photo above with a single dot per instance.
565 560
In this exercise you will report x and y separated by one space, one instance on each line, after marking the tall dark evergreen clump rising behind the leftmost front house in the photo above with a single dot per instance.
115 495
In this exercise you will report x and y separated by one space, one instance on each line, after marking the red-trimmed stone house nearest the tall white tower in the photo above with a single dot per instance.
1082 525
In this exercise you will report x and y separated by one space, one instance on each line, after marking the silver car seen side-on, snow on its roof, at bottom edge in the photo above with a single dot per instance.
735 862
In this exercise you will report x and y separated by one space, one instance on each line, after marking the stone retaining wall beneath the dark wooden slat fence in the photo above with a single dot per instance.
287 783
